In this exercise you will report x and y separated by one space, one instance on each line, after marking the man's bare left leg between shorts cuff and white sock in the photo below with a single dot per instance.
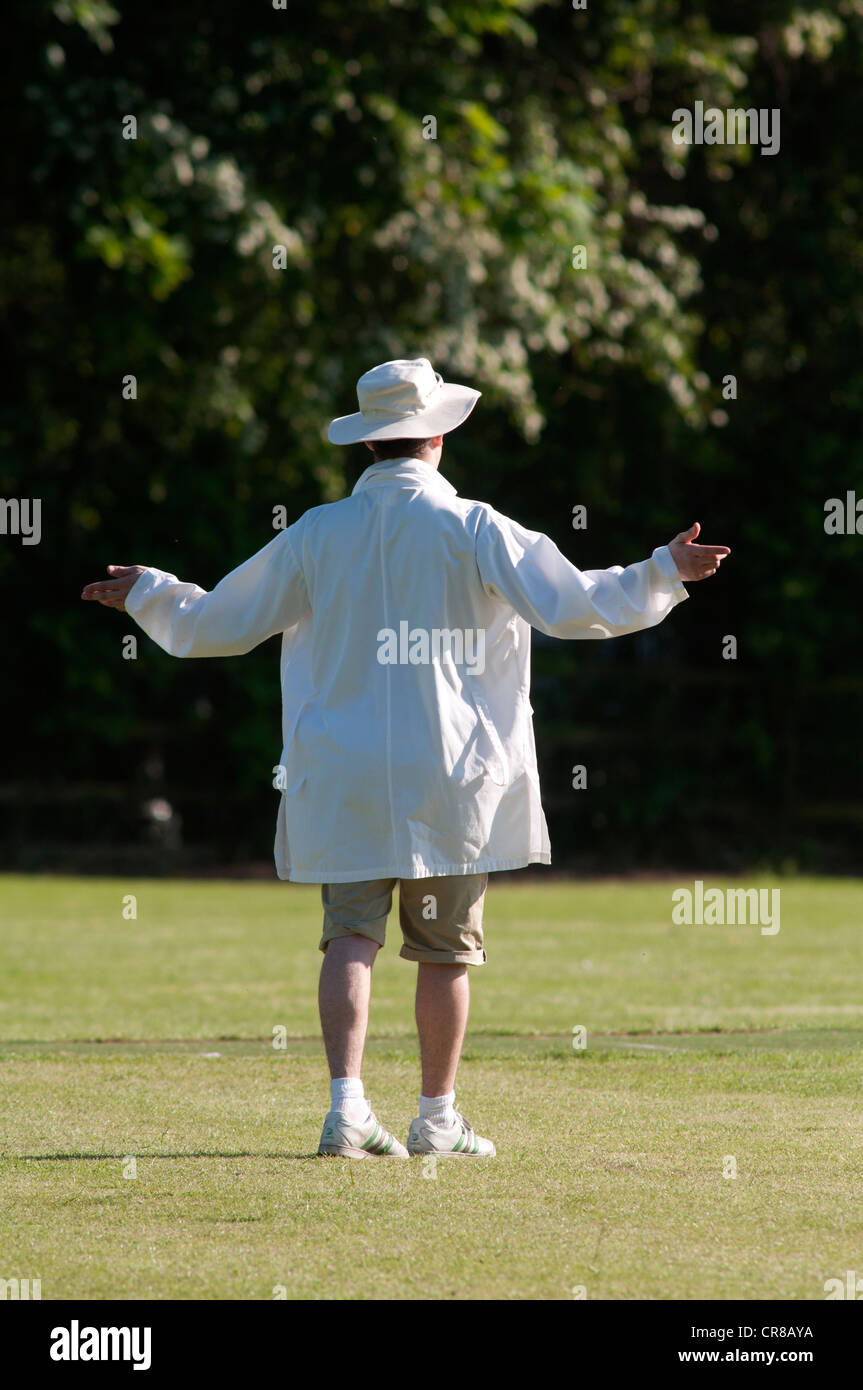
344 995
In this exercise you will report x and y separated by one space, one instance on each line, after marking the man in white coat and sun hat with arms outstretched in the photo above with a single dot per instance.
408 742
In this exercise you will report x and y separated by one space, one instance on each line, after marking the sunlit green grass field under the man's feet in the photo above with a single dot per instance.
704 1045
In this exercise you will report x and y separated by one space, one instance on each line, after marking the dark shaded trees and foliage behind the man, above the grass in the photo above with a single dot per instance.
304 127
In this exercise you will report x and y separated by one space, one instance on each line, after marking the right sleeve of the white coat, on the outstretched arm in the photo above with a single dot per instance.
530 573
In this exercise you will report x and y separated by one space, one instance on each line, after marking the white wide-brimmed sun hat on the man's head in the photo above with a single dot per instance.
404 400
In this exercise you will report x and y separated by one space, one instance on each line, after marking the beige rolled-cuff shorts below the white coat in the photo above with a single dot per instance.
441 918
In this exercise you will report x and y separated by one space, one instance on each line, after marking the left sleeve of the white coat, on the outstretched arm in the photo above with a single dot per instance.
262 598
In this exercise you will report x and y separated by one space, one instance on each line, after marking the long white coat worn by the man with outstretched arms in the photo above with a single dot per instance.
406 619
